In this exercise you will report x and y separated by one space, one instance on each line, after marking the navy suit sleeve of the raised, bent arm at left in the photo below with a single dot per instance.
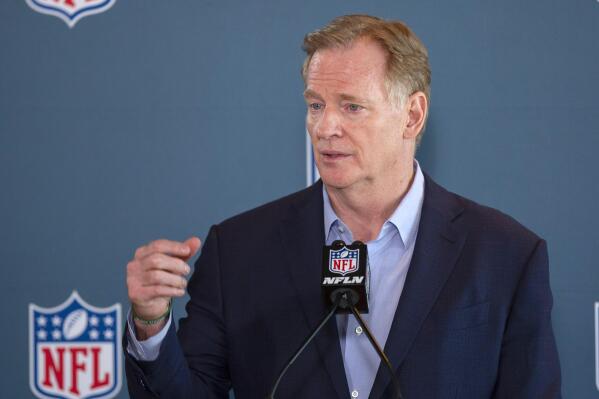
193 362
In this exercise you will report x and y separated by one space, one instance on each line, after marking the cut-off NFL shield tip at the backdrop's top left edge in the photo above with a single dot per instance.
70 11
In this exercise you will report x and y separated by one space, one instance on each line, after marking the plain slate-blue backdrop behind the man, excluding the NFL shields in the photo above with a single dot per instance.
159 118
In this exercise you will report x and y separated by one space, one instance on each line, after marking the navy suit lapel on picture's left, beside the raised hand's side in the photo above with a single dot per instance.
302 233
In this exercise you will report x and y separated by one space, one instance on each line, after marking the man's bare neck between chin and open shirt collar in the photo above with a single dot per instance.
365 209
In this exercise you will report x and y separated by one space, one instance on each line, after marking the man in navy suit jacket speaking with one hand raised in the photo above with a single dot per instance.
459 293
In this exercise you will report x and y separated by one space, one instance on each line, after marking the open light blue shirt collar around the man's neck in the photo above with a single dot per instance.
405 218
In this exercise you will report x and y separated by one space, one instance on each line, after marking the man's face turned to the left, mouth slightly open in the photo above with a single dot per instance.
356 131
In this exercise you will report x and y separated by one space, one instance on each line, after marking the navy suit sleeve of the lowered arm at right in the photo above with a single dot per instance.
529 364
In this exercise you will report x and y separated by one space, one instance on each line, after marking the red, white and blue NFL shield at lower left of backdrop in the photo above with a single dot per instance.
75 350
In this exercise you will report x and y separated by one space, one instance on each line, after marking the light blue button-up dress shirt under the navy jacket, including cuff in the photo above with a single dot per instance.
389 255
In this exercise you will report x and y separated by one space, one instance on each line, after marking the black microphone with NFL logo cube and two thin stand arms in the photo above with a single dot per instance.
345 274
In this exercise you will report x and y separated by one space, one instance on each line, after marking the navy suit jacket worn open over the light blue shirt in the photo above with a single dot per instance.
473 321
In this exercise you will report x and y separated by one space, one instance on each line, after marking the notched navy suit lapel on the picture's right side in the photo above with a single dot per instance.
436 251
